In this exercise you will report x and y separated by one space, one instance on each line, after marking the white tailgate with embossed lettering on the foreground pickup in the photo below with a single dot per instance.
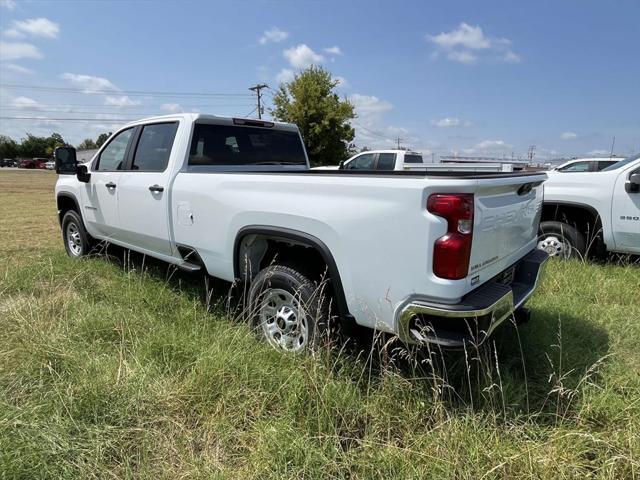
506 218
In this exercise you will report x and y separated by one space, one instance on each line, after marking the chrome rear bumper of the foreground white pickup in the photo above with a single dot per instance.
478 314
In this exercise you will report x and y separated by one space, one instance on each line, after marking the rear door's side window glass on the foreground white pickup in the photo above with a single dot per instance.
154 147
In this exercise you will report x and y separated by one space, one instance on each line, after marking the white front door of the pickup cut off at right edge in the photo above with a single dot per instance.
625 212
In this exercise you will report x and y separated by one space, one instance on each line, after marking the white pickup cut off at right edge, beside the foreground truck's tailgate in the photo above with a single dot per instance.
592 212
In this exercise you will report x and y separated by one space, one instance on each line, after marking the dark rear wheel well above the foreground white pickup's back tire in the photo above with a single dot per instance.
256 249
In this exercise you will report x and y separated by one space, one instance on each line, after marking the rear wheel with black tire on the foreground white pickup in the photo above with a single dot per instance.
300 321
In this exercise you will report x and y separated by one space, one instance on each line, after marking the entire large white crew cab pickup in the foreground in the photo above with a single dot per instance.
236 198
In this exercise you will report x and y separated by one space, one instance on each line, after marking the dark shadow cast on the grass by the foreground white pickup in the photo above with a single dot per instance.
540 368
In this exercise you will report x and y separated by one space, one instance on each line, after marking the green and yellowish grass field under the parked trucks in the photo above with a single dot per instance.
108 370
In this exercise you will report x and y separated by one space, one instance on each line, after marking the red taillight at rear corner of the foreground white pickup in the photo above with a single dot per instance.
451 252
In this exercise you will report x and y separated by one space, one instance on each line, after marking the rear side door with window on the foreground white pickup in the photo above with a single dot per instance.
143 190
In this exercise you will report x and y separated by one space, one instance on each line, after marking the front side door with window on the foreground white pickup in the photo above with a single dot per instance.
100 202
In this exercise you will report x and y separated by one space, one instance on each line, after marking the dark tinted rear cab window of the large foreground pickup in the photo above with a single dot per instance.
236 145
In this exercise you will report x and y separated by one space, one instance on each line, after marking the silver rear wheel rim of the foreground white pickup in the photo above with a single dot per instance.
283 320
